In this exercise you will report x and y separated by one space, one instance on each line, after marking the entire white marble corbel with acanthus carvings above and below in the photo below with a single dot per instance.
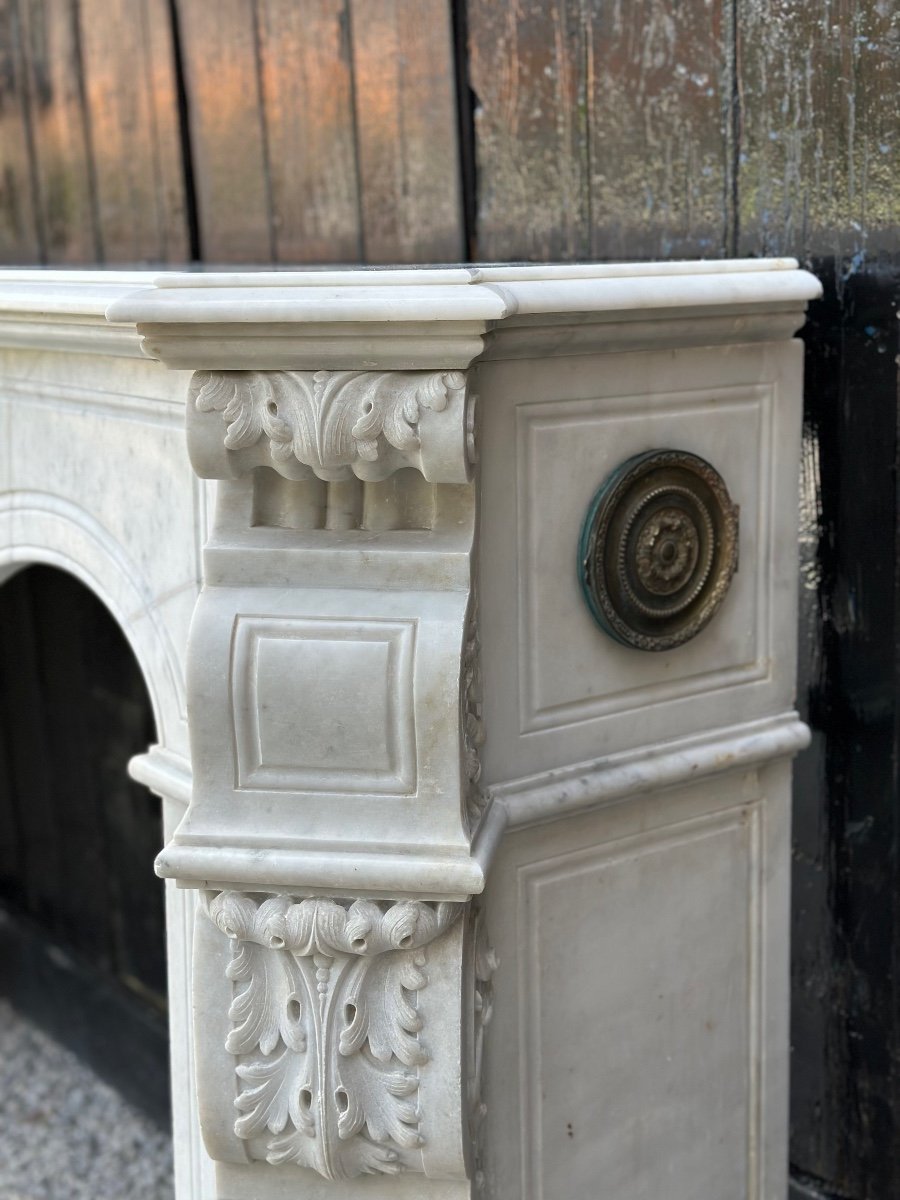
337 729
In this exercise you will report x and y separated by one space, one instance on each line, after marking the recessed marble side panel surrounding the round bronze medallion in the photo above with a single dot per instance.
571 671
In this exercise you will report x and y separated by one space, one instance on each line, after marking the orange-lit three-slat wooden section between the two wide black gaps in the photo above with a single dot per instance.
323 130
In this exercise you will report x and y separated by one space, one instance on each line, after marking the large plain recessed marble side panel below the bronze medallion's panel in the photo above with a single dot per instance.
640 994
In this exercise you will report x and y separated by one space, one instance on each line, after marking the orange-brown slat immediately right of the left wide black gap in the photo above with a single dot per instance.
231 159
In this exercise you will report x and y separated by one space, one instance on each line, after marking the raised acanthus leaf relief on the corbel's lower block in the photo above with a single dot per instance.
326 1027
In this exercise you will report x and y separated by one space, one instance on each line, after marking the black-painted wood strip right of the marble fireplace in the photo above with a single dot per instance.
847 879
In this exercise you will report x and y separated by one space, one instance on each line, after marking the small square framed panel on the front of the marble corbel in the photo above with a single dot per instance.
325 706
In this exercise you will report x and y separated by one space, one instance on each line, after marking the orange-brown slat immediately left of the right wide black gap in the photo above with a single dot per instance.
407 131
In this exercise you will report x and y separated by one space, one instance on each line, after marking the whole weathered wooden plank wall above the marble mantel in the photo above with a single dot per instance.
316 131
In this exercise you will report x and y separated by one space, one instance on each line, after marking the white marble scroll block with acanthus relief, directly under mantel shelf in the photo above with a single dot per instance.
332 424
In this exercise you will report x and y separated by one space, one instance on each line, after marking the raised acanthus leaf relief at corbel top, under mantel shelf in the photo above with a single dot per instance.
331 424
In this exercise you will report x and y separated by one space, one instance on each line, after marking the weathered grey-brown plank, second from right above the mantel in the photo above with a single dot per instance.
659 97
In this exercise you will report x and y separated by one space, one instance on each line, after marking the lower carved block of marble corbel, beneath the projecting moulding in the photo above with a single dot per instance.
355 1031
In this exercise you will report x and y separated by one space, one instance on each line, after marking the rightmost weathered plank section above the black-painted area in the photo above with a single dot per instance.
820 127
